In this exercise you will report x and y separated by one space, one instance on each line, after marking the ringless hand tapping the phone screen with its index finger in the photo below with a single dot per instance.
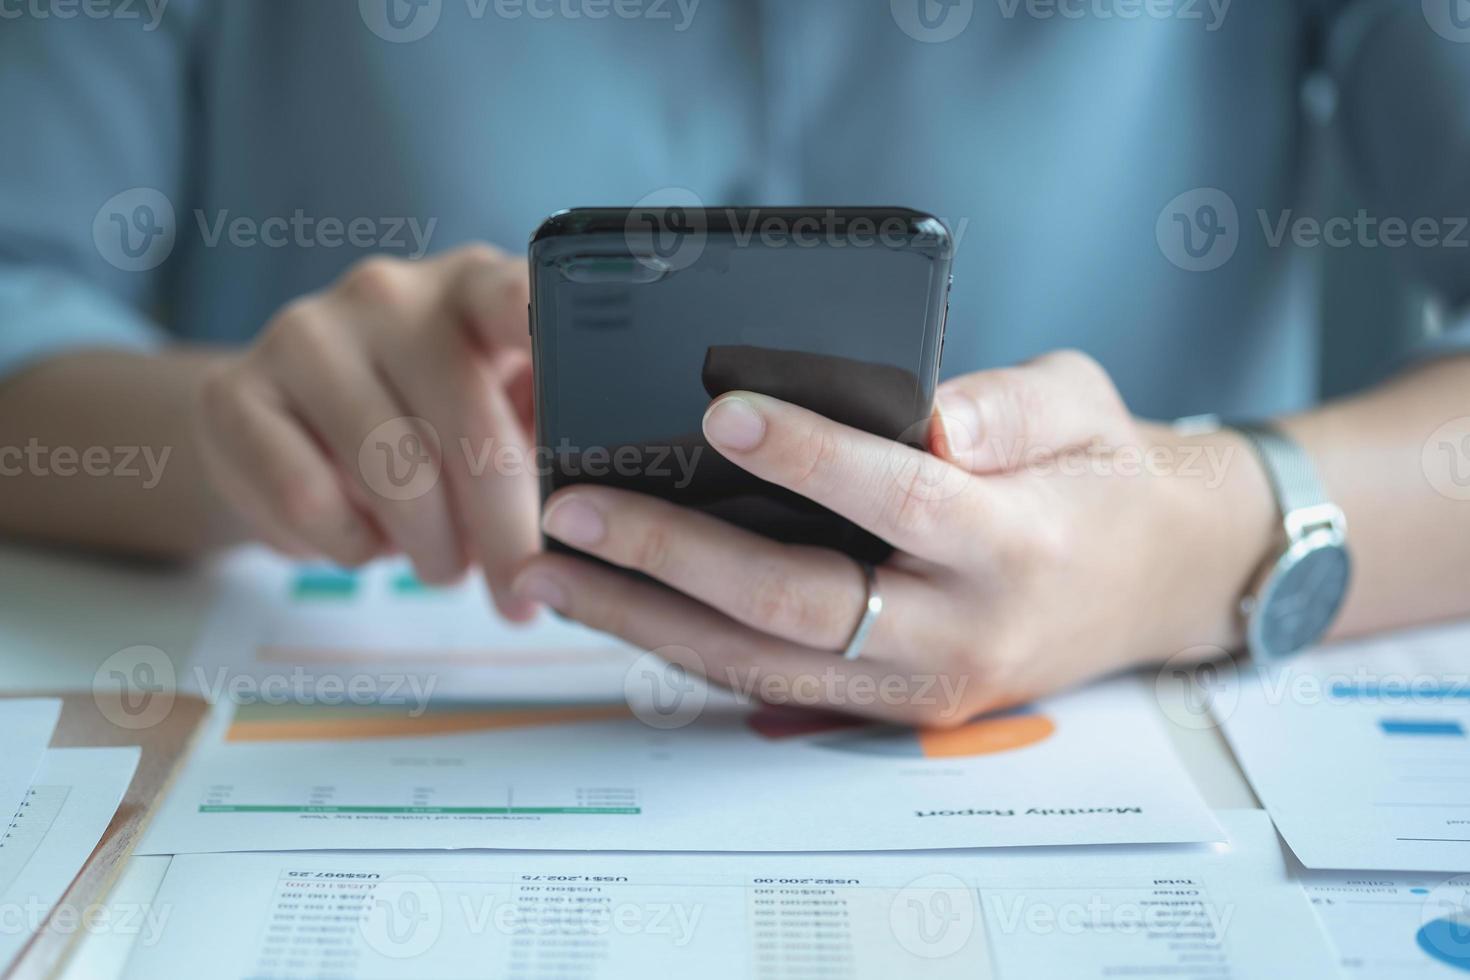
317 434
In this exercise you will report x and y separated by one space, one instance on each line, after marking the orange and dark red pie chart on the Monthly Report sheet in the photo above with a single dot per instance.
984 737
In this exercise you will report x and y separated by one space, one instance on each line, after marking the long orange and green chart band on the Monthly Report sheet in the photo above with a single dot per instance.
330 724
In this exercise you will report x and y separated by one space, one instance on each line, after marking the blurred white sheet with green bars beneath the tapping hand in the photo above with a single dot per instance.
327 635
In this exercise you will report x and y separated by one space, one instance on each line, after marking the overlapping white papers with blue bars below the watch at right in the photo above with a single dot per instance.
1362 756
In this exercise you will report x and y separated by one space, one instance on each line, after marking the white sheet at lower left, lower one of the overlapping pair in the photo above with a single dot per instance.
65 813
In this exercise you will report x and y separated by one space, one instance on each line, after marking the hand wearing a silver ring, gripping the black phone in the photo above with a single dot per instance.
1037 547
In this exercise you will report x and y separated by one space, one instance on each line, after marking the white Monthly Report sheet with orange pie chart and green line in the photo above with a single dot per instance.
1089 768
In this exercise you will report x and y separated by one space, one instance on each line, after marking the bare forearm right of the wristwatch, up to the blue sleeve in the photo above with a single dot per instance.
1409 538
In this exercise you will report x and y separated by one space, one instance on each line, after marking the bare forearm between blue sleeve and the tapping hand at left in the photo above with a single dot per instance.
96 452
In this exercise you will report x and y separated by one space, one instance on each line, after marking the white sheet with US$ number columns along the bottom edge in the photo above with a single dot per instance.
1203 912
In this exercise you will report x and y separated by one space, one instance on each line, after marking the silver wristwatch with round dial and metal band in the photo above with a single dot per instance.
1300 591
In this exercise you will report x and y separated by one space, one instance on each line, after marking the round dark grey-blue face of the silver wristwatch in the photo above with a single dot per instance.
1302 597
